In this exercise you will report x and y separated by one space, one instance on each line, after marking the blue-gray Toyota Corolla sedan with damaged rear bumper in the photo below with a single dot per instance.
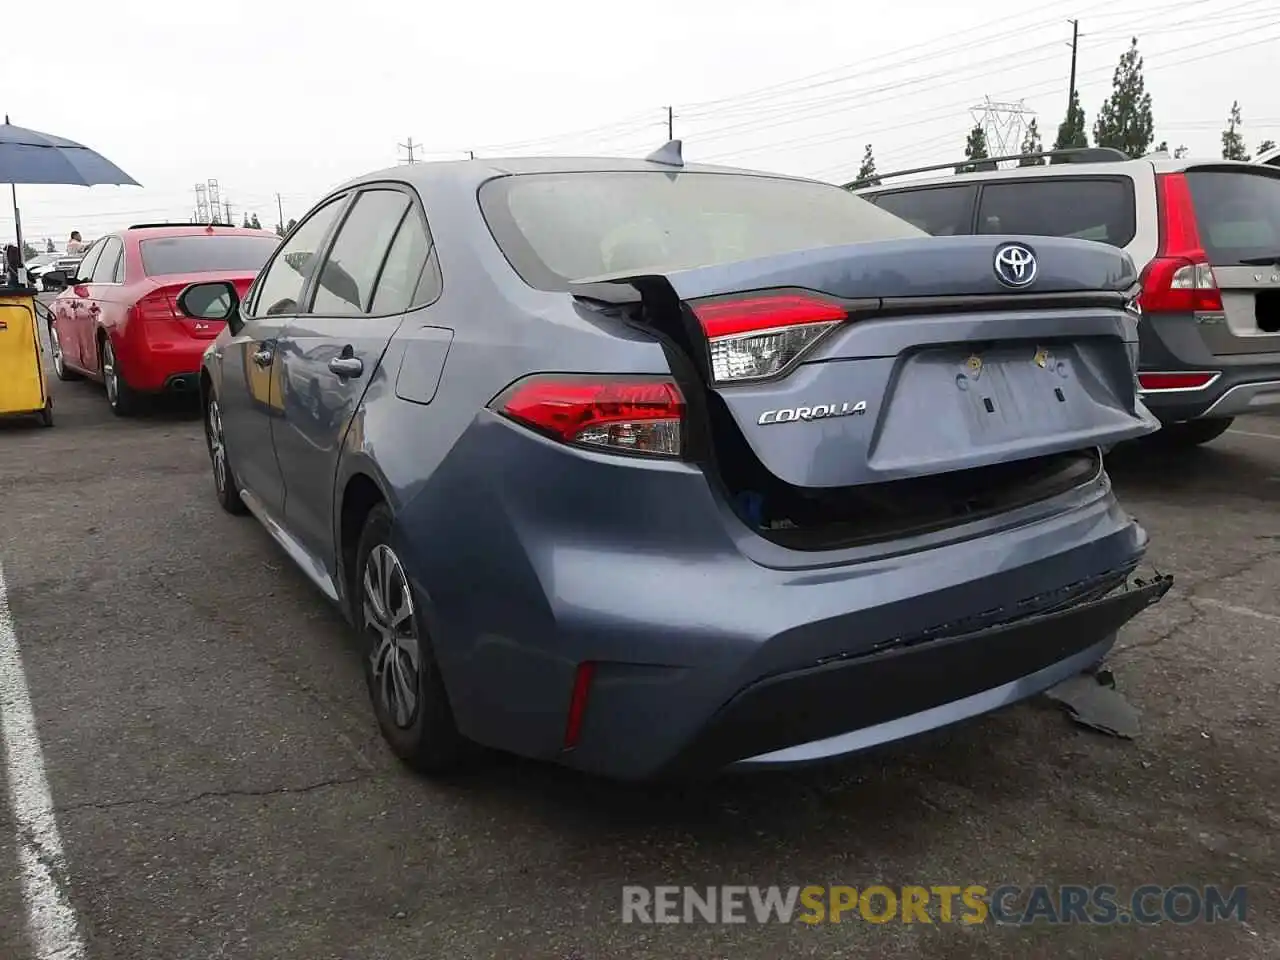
655 469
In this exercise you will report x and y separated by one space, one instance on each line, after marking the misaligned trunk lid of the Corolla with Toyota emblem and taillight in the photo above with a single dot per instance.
903 359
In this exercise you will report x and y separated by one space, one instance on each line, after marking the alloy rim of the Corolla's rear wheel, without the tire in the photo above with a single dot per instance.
392 629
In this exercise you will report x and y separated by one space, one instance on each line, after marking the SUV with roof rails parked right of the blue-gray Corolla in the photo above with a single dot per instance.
1204 234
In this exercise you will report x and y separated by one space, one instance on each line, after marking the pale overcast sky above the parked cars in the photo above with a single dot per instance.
277 98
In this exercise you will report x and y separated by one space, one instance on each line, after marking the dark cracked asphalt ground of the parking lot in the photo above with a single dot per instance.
222 790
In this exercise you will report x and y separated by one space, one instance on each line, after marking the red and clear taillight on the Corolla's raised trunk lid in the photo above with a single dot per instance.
762 336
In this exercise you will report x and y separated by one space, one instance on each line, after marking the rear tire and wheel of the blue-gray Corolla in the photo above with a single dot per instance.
410 701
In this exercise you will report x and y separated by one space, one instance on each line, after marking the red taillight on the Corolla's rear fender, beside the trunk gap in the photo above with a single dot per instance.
620 414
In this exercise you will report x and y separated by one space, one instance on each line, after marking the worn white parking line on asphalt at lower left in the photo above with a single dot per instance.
51 917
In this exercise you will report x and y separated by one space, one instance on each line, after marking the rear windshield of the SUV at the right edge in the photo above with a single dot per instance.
1238 214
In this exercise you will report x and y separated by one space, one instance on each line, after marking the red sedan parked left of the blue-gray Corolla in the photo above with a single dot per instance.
118 322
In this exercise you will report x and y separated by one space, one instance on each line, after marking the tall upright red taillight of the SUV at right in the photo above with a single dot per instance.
1181 278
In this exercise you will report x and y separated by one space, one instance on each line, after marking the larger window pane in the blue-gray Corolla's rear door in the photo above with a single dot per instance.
350 271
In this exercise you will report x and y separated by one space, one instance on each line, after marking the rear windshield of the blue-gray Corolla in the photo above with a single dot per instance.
563 227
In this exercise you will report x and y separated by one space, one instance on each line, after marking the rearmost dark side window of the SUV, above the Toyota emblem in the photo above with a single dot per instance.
1098 209
